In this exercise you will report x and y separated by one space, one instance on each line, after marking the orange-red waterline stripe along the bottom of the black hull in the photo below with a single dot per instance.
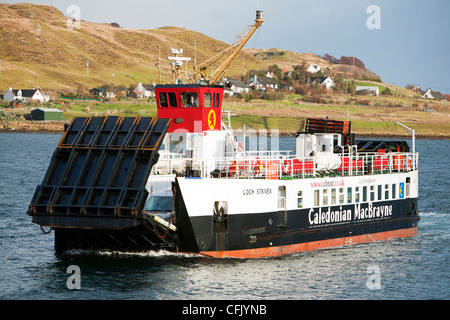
309 246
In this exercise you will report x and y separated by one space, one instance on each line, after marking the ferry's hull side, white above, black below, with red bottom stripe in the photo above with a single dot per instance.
282 231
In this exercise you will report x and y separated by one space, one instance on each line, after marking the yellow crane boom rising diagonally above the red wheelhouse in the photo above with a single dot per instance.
223 59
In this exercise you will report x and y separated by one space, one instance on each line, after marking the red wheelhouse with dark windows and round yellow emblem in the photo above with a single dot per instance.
192 108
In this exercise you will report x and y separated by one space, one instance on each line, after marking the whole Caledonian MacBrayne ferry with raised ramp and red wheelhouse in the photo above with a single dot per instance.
185 181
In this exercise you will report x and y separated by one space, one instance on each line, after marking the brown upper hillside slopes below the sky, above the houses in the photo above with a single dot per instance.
38 49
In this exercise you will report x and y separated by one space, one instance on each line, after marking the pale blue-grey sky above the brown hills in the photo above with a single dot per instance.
403 41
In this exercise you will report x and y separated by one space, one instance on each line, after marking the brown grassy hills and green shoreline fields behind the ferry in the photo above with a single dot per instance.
37 49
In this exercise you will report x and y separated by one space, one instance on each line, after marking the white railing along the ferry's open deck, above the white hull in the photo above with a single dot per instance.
277 166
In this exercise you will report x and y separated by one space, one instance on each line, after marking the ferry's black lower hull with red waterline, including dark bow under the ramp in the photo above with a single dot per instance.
248 235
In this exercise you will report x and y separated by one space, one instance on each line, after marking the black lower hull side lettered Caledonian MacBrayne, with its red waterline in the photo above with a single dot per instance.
246 234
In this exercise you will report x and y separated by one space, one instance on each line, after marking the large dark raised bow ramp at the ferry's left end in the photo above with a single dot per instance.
93 194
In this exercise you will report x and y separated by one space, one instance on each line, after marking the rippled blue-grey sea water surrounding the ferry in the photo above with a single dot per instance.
398 269
